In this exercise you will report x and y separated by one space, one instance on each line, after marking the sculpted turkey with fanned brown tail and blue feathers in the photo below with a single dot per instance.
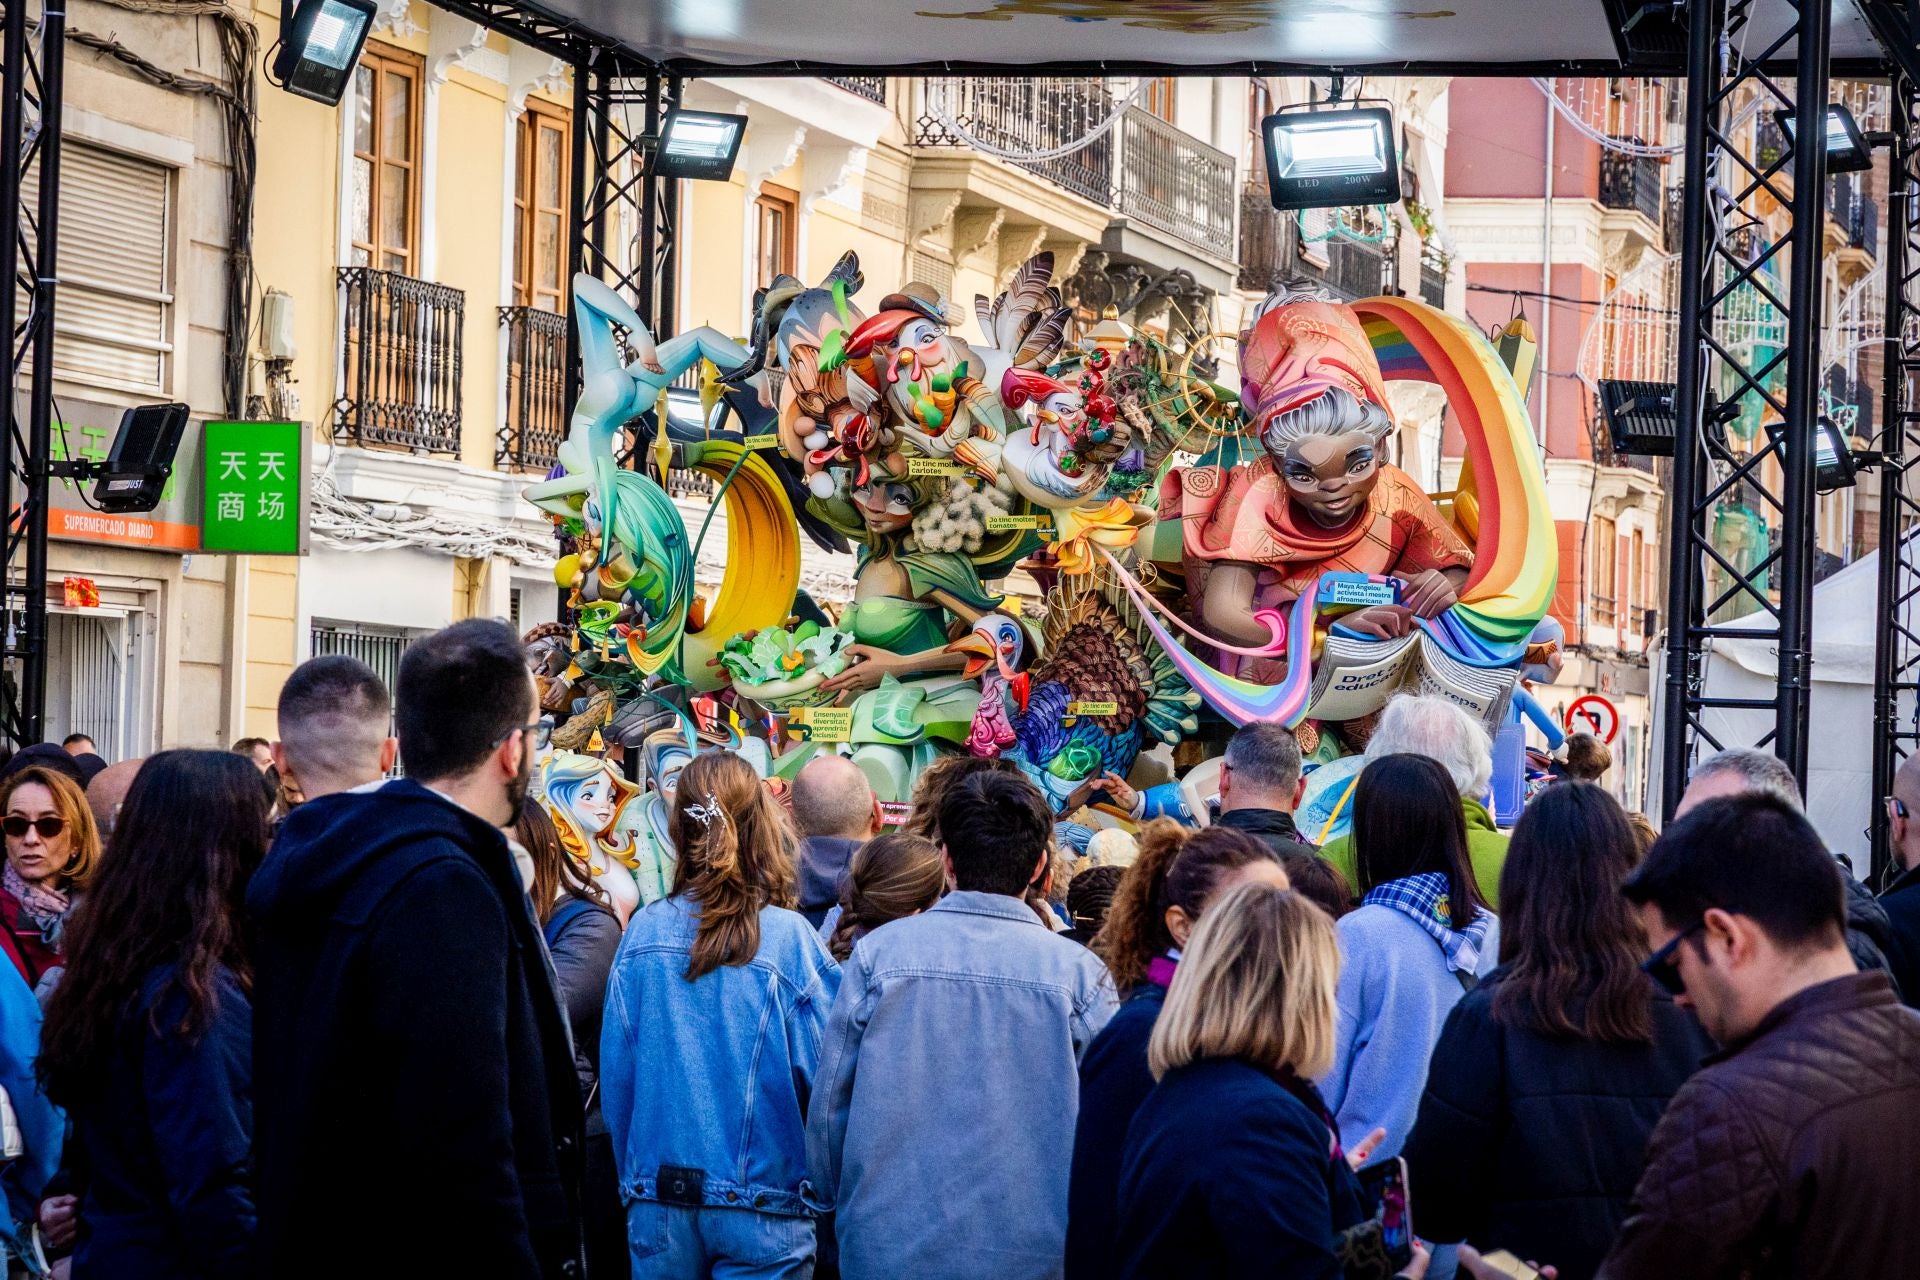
1093 655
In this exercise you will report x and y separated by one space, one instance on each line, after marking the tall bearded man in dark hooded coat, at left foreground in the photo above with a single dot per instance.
416 1099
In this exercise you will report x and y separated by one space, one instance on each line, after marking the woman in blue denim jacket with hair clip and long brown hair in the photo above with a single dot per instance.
711 1039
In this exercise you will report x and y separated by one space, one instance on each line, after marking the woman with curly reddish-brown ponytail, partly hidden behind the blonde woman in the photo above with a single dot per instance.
1155 911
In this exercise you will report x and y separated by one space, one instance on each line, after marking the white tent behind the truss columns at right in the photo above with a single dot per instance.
1840 767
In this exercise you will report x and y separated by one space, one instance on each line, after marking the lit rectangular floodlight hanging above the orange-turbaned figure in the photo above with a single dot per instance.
1332 160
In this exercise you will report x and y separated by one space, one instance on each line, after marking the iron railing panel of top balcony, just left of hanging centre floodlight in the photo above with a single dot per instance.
1174 183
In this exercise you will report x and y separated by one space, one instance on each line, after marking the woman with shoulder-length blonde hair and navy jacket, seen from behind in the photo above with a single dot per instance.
1234 1168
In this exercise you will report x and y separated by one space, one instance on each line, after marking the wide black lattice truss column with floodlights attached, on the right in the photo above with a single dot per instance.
1727 281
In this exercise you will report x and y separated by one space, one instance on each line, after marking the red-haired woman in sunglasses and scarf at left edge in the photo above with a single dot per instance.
51 853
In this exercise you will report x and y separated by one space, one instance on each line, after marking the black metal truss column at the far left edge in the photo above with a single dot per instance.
30 147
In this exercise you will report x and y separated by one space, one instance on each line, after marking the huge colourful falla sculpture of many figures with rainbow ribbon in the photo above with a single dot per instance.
1220 534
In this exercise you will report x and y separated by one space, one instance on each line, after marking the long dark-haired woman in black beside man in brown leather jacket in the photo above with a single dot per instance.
1564 1051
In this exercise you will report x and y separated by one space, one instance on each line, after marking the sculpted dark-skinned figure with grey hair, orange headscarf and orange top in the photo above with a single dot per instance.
1318 500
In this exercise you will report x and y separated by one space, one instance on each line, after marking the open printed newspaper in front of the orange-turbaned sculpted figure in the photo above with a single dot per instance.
1358 676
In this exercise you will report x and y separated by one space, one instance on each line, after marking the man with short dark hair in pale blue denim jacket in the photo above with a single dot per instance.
942 1126
